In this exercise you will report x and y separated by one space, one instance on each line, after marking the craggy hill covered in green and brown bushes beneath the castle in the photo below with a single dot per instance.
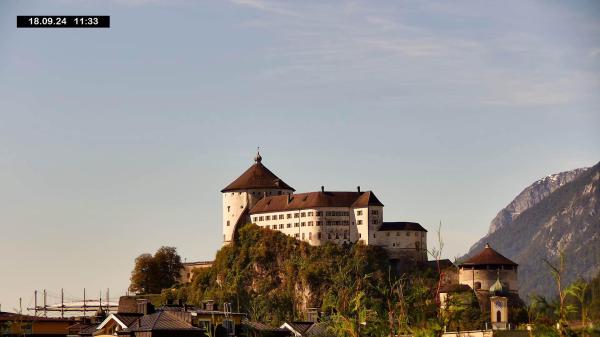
274 277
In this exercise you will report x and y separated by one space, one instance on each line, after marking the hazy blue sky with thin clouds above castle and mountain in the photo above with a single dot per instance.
116 141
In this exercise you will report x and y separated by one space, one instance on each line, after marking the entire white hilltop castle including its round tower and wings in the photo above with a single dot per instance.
260 197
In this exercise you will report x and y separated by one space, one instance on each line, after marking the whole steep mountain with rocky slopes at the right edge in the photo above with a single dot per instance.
560 212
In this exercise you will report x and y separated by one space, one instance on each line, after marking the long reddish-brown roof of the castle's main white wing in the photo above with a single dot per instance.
298 201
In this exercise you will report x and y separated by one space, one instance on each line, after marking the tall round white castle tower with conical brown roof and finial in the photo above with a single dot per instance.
245 191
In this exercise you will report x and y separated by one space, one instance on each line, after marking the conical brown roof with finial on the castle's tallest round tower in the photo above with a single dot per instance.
257 176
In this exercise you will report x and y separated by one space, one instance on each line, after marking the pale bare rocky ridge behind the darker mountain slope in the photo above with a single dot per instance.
532 195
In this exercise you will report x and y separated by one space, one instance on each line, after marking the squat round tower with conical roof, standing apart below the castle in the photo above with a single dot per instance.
483 270
